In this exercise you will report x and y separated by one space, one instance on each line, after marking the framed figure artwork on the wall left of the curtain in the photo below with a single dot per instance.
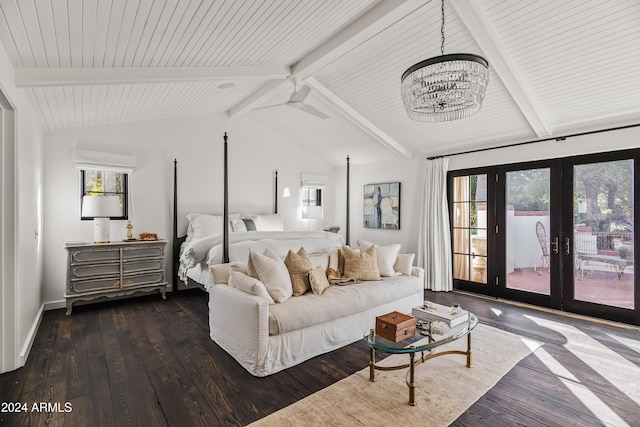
382 206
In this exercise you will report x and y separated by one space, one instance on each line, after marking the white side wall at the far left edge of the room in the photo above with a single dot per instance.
21 281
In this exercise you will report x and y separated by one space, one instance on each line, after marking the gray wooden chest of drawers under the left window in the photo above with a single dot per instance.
115 269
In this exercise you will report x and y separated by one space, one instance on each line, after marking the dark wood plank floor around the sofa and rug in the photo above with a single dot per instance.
150 362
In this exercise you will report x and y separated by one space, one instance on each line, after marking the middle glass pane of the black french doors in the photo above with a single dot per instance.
527 233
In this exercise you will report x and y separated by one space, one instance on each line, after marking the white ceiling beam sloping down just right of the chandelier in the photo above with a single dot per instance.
478 25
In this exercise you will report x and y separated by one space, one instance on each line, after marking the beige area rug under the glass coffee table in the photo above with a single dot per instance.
445 387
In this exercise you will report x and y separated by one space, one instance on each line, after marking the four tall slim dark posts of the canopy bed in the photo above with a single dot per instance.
179 240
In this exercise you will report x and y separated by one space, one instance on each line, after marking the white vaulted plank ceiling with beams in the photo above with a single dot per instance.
556 66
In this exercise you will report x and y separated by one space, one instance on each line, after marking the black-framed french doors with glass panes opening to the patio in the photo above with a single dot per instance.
557 233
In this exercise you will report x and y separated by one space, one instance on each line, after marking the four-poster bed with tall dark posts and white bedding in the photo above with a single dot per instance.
214 239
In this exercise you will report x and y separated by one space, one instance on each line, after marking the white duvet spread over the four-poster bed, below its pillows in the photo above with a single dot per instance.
208 250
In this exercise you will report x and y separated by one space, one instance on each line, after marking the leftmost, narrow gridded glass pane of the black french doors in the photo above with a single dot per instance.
470 228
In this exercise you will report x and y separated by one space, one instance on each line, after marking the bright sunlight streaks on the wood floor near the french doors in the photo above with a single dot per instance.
614 368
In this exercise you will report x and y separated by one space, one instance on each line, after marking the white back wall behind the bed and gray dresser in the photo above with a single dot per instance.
197 143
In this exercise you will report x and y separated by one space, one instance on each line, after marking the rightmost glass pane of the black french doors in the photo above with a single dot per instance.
603 233
